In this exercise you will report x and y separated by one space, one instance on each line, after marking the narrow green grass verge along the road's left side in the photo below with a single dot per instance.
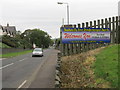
8 55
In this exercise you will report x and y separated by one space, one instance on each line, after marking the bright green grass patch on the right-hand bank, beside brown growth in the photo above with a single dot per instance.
106 65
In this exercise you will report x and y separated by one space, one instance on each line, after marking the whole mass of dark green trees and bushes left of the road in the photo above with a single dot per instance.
28 38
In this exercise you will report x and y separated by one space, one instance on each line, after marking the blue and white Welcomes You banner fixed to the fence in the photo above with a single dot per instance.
85 35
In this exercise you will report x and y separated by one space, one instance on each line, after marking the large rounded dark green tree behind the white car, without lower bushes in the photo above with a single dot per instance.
38 37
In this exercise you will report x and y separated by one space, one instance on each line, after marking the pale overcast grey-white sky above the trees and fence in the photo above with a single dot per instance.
47 15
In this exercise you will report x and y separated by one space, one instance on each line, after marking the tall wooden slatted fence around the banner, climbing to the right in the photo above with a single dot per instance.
113 23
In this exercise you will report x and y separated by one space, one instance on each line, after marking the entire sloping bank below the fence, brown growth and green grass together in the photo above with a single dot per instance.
86 70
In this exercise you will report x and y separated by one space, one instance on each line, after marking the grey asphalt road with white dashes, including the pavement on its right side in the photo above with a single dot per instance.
26 71
